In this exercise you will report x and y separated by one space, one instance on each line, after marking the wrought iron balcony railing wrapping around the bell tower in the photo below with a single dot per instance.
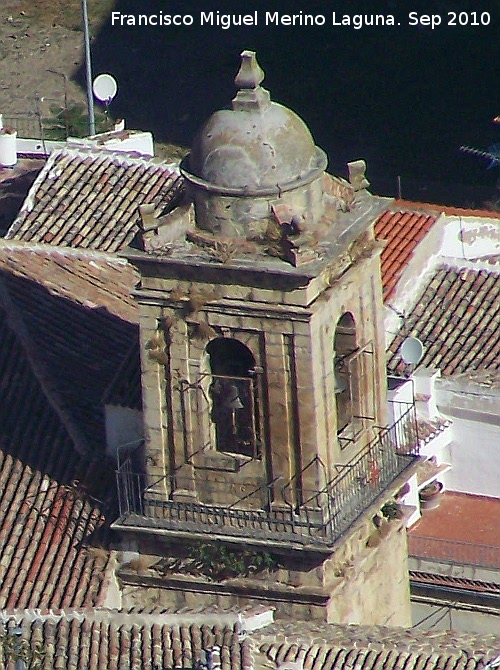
312 519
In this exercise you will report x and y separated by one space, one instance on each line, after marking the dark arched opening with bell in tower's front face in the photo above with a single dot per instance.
234 399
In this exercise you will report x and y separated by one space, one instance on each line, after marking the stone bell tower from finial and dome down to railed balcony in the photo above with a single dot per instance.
262 346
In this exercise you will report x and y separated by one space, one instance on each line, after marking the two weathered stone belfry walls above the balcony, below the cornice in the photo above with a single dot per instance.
292 343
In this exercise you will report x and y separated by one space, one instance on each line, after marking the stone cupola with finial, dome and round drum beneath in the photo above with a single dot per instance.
247 159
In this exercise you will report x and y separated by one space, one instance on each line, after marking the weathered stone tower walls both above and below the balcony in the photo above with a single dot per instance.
291 336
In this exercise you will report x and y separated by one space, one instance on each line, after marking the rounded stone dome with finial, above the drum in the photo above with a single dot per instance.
258 146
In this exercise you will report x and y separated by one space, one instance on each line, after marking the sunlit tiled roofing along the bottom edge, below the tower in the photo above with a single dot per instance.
133 640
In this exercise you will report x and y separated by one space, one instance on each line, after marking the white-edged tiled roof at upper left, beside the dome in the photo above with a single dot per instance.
91 199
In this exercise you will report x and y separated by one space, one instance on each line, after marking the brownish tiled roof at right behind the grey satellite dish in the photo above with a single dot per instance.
457 318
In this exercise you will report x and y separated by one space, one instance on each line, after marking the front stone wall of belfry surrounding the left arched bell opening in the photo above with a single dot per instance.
175 397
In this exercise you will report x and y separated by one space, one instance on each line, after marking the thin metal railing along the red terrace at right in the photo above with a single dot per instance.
453 551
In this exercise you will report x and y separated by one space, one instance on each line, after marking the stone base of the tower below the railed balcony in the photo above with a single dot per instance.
364 581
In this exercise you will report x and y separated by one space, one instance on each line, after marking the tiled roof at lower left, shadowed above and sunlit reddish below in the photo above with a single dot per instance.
46 503
